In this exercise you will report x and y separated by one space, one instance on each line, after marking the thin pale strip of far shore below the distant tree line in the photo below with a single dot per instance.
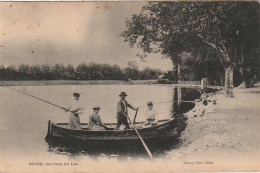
96 82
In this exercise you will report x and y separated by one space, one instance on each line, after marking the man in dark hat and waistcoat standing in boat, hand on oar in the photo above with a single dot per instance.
122 112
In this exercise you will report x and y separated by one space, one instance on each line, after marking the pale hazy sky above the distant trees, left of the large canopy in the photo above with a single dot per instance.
69 33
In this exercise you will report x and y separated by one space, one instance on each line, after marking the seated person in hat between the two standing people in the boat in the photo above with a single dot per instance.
95 122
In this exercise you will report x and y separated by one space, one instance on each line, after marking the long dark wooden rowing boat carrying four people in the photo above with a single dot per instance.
163 130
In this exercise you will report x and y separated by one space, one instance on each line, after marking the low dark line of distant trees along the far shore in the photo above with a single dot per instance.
90 71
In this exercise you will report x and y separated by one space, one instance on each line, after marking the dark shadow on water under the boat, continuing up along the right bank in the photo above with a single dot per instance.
134 149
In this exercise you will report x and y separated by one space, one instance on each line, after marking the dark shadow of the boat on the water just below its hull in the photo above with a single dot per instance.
119 150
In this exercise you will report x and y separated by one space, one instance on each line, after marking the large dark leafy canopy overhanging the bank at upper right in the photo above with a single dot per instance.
226 33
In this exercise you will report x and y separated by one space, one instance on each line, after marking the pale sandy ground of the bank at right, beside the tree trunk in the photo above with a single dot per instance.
229 137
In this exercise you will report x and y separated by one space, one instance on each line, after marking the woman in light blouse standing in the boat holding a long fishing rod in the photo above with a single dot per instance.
75 110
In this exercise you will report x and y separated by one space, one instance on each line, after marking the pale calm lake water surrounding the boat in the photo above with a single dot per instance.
23 124
